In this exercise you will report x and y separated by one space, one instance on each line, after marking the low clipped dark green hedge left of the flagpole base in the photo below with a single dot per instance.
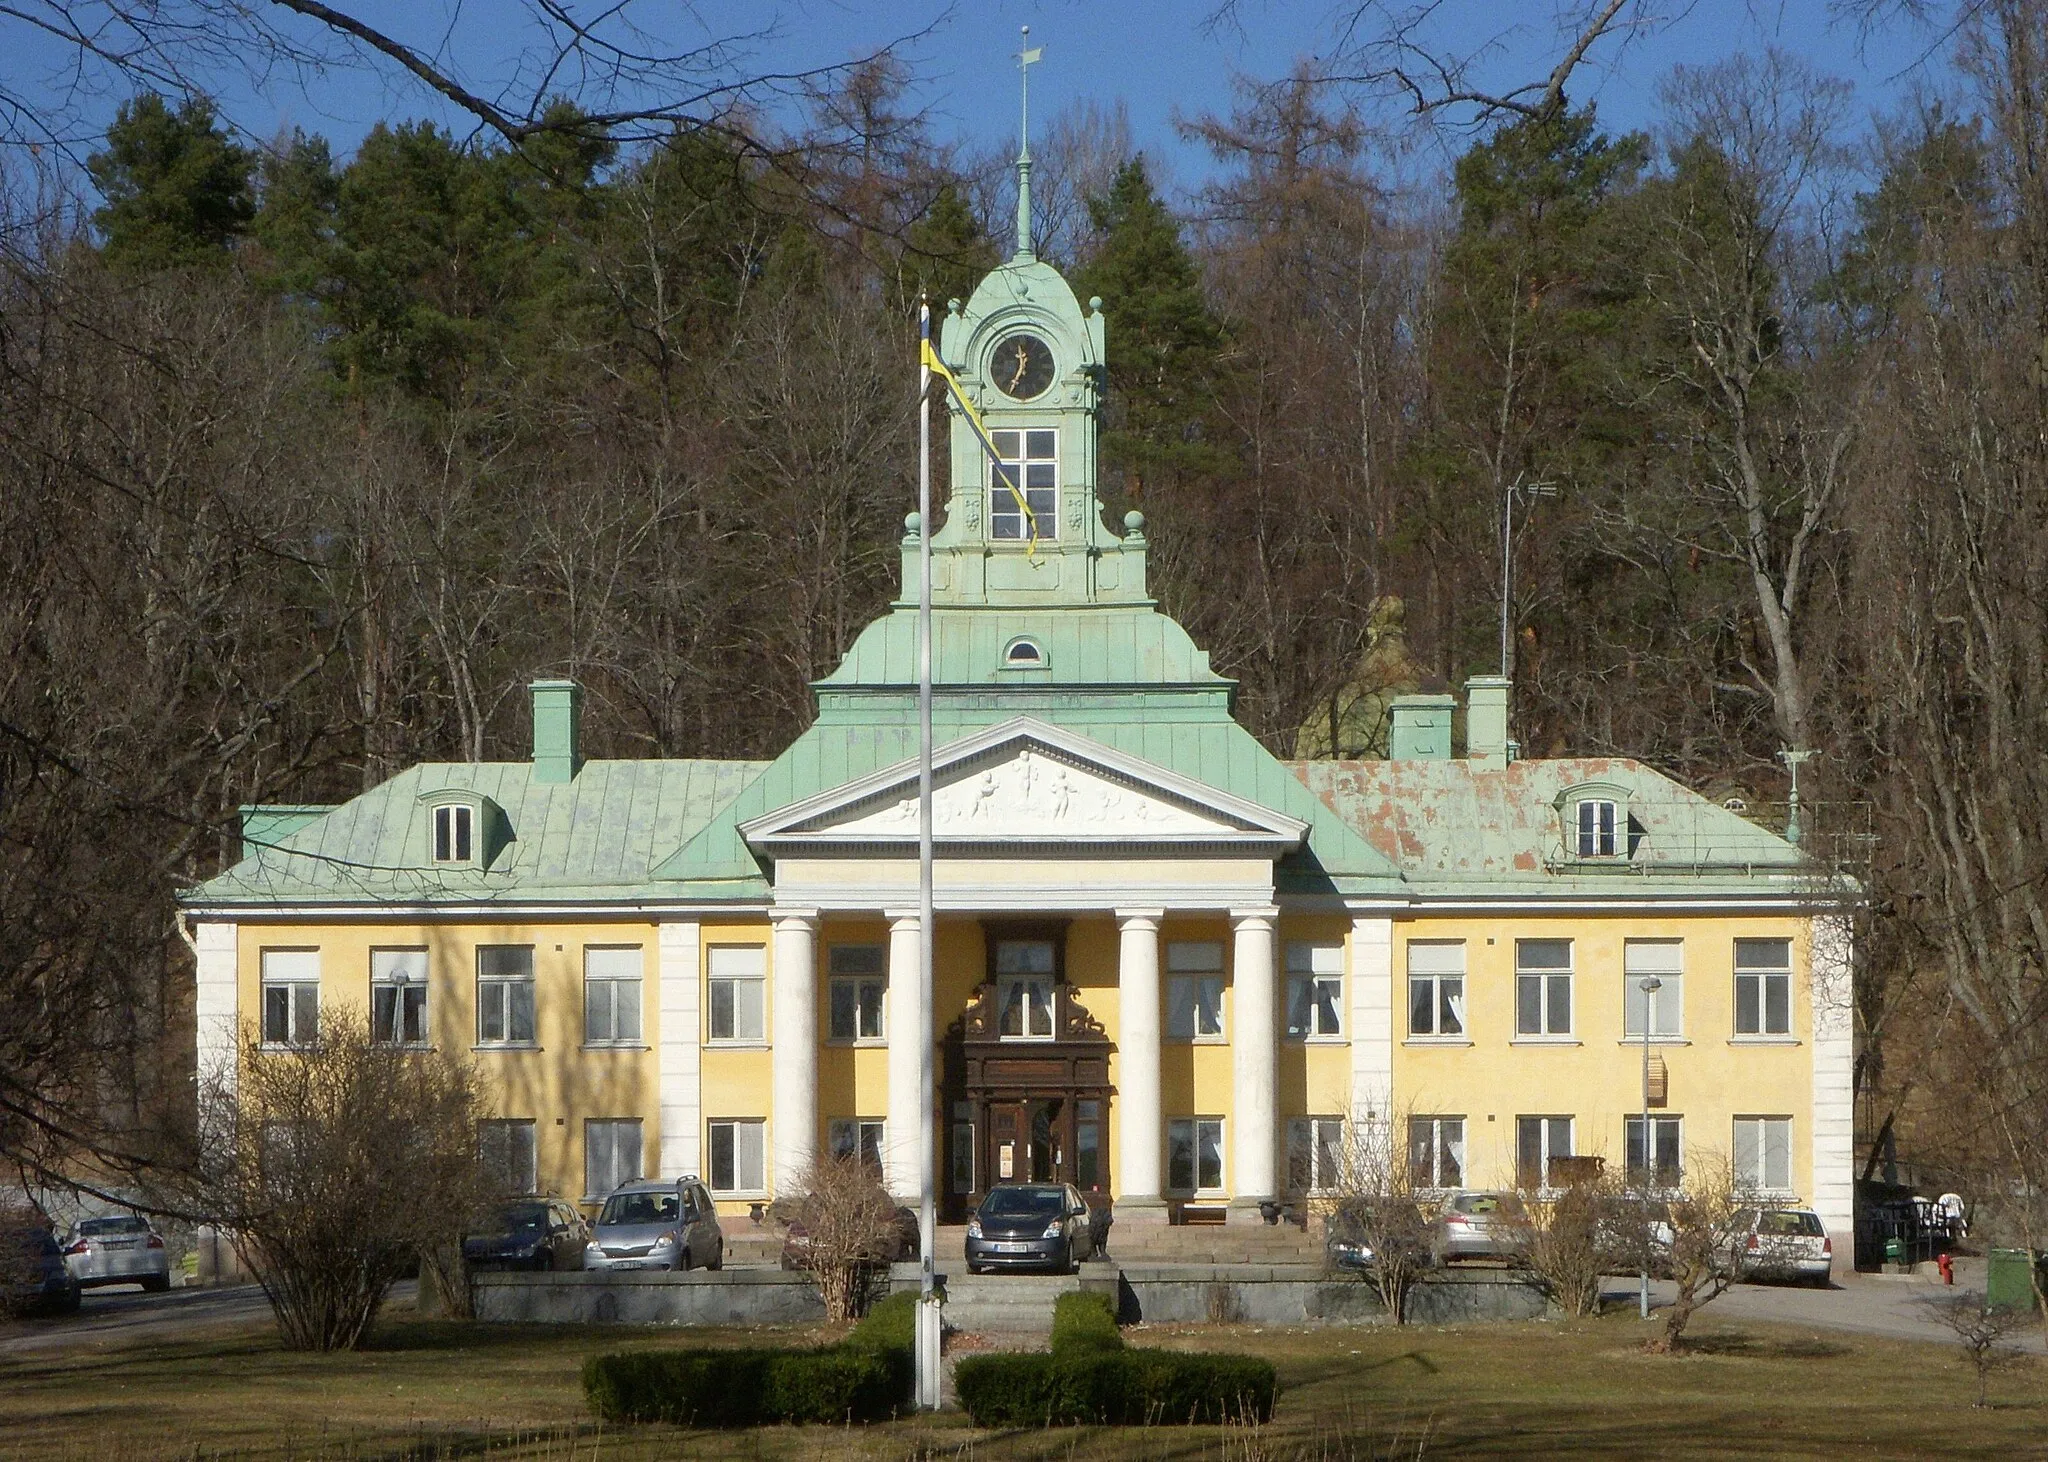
749 1387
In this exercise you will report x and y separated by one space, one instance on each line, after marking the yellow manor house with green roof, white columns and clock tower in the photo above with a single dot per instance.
1170 967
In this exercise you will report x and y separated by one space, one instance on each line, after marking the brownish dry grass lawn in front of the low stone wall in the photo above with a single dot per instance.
1584 1389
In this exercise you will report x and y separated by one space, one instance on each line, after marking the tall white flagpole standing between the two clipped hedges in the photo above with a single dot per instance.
929 1309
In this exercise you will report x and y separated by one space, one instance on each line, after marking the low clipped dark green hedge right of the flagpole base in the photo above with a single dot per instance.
1115 1387
